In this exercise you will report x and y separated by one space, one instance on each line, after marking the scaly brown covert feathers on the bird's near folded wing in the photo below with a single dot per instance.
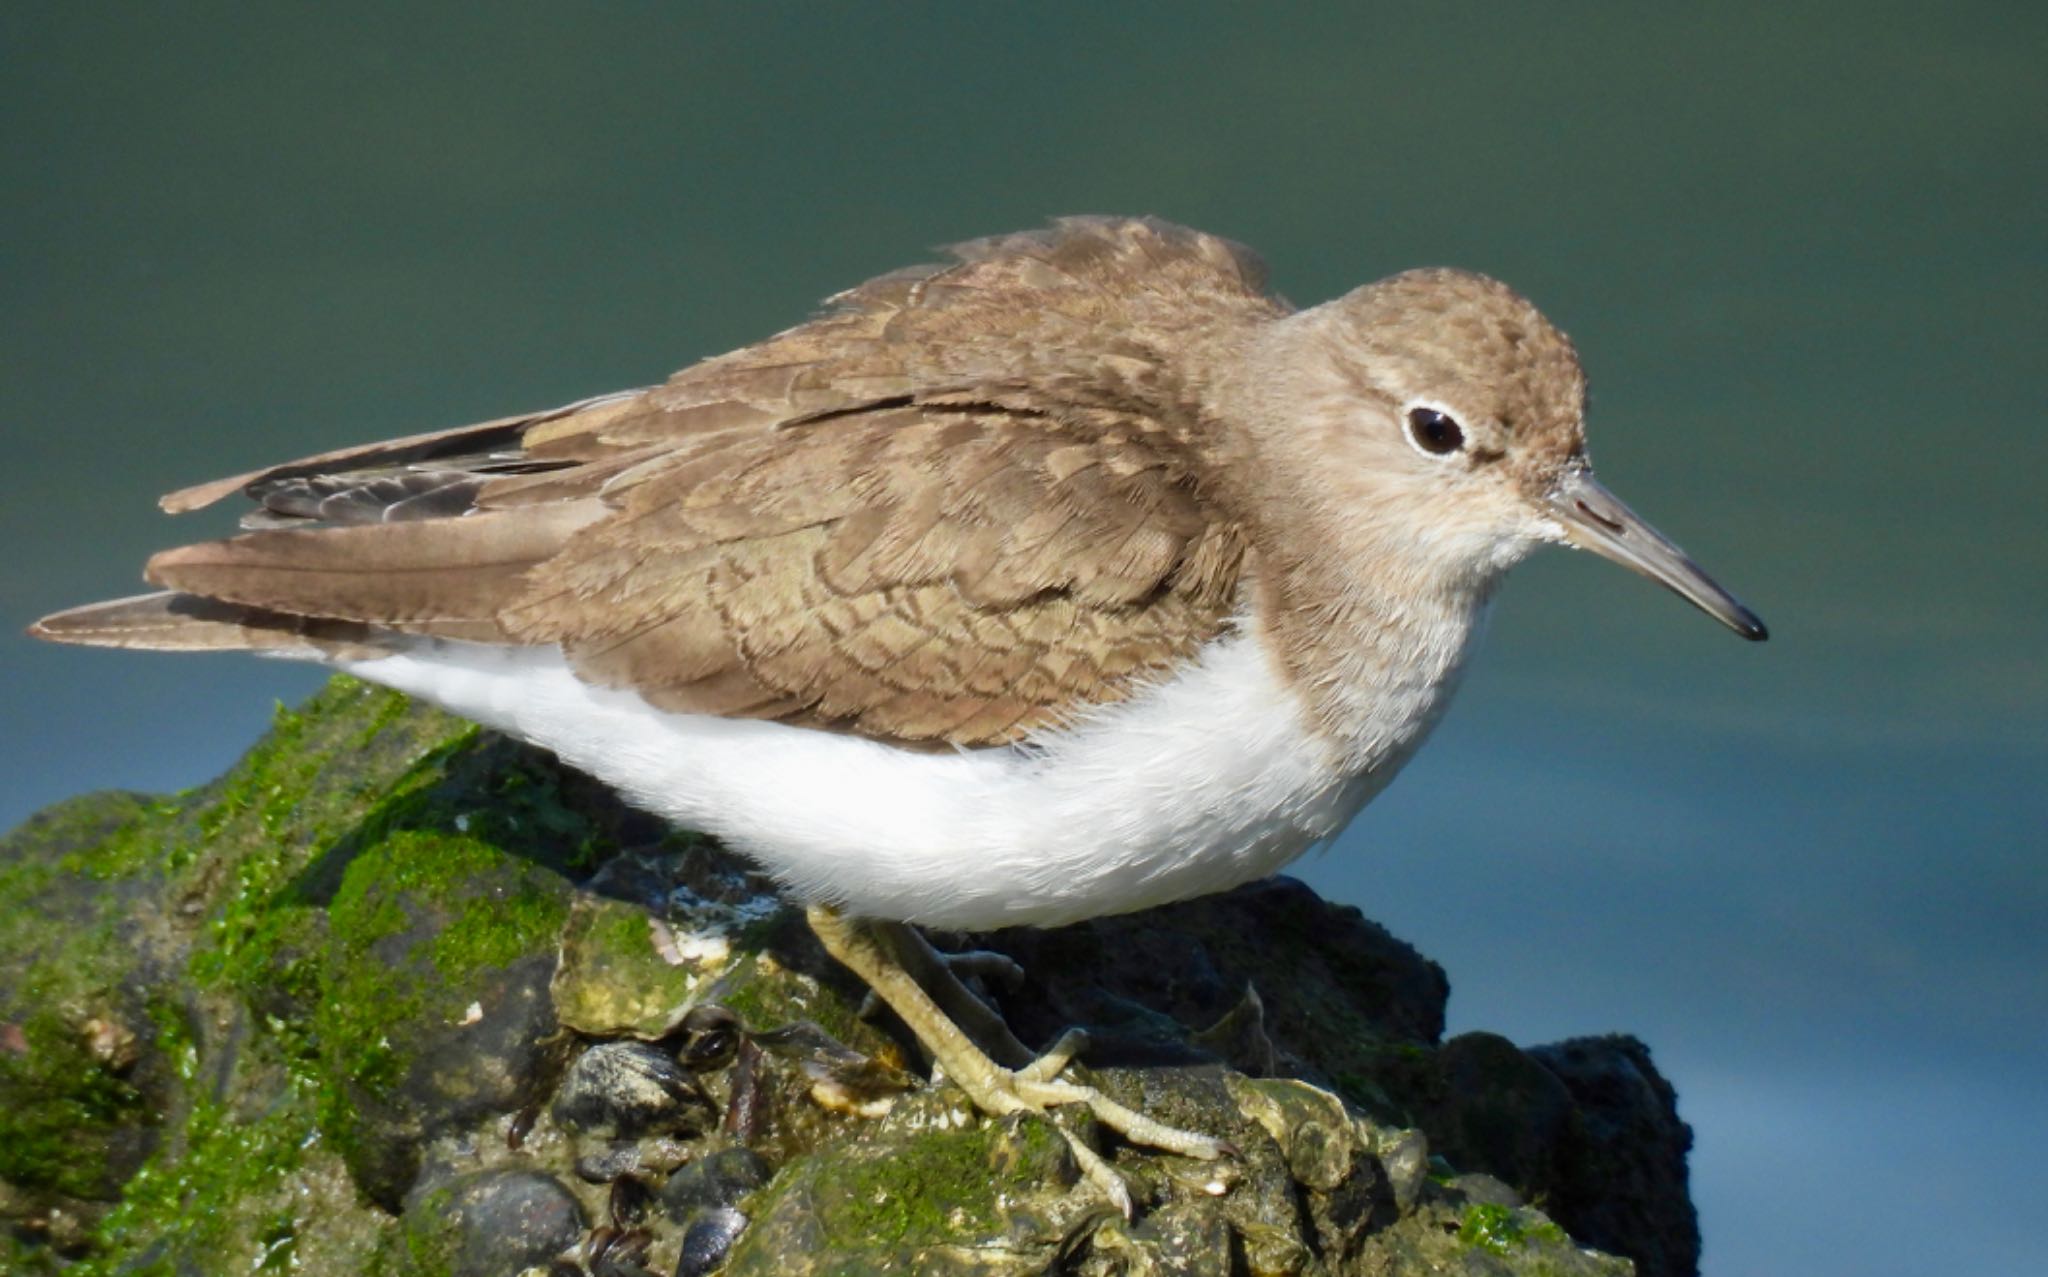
910 574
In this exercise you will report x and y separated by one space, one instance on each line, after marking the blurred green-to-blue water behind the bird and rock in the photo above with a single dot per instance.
1803 255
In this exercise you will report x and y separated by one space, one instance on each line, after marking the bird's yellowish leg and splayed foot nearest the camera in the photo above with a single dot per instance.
1000 1092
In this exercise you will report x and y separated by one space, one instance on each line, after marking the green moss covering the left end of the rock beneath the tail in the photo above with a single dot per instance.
351 877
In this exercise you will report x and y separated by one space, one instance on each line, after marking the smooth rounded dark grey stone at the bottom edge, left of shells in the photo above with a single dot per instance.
493 1223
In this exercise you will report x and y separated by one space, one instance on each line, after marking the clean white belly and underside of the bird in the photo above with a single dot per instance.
1197 785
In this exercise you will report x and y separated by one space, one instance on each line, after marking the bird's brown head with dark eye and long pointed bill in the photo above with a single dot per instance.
1449 437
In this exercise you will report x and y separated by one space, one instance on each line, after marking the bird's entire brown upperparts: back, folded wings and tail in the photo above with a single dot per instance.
957 507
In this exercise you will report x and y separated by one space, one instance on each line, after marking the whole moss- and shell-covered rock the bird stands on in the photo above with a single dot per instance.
402 998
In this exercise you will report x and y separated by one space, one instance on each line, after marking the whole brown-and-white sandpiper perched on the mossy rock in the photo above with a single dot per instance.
1070 578
